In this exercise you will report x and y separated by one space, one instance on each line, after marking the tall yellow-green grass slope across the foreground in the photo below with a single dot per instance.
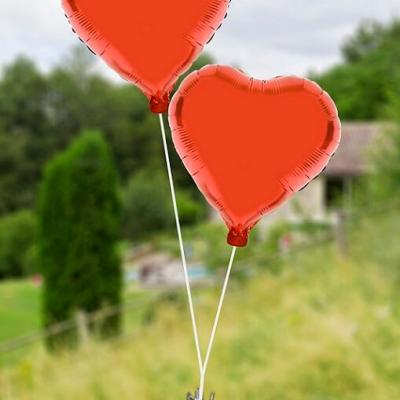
321 327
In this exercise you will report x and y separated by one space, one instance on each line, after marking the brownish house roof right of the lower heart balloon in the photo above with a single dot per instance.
350 158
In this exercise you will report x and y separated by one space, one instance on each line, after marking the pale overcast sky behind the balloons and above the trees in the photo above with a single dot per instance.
265 37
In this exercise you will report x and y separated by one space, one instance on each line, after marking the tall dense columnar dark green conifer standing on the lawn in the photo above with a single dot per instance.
79 218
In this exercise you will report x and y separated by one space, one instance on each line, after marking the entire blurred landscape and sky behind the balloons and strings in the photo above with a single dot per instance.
92 304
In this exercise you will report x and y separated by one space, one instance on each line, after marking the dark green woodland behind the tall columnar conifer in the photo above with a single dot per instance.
40 114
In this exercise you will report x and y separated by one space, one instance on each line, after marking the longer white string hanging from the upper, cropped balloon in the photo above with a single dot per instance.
182 250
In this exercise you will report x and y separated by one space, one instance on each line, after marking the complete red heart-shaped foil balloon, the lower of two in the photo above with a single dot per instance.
250 144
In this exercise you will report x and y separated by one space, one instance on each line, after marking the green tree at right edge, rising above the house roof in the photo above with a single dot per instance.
371 67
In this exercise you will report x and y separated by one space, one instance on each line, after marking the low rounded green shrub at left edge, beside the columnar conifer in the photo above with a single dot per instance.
17 238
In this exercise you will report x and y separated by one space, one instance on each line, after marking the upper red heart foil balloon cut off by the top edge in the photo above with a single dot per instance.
149 43
